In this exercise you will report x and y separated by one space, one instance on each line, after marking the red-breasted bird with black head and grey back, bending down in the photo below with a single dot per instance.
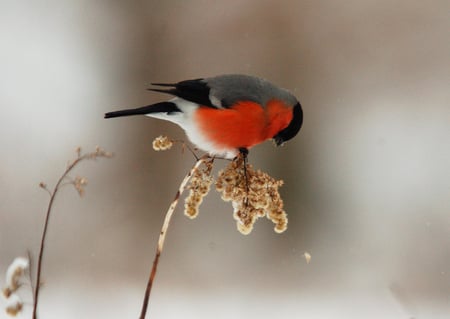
227 114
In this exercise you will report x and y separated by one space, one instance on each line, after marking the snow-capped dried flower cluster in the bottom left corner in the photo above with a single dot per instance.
14 273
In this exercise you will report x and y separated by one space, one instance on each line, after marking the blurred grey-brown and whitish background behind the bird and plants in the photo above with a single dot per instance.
367 180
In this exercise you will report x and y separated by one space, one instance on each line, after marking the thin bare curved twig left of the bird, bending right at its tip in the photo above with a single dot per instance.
94 155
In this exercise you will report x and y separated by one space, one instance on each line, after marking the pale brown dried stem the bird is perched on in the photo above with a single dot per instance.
162 234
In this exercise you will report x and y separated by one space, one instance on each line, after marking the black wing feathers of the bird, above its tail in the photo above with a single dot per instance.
196 91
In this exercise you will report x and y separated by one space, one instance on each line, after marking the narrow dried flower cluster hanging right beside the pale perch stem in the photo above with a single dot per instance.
199 187
